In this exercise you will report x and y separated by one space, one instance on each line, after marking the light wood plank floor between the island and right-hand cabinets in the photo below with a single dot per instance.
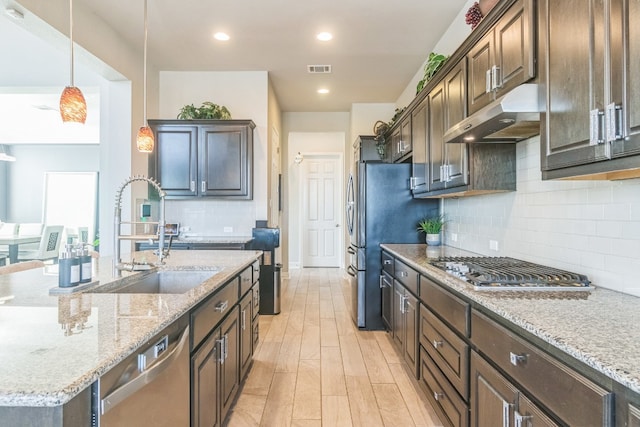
313 367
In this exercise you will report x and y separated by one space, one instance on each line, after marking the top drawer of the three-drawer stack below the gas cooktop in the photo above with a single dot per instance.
450 308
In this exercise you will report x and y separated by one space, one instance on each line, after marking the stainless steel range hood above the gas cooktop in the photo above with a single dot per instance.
513 117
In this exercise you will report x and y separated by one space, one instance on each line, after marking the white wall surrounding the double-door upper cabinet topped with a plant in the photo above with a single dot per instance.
245 94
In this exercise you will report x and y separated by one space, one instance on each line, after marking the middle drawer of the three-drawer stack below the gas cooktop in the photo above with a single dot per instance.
447 350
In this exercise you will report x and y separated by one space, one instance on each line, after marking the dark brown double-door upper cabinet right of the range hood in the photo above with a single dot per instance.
589 51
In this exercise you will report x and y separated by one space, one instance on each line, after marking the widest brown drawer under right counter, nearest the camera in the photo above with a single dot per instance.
572 397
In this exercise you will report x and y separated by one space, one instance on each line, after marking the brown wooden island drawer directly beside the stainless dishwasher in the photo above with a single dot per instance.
208 315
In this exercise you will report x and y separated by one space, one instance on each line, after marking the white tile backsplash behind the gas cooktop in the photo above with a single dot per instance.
590 227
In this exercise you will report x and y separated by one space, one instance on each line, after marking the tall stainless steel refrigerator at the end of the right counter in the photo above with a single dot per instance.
380 209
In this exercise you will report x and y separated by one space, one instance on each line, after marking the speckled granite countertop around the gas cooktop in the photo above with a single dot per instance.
598 328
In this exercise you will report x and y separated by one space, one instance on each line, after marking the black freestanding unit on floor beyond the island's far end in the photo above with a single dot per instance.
267 240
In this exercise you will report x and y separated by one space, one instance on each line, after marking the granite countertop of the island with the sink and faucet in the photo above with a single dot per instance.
54 346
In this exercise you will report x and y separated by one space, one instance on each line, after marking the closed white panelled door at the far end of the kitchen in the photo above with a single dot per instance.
322 221
